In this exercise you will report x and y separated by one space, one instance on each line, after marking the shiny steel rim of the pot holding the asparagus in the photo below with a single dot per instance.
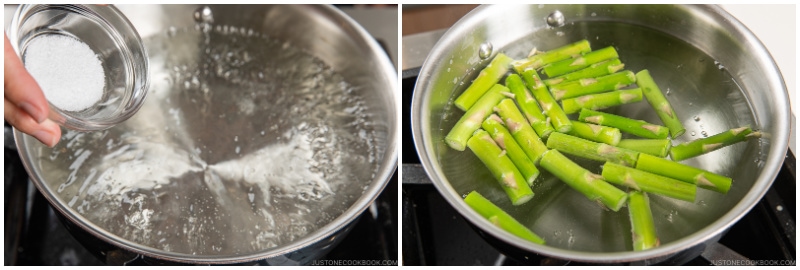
425 149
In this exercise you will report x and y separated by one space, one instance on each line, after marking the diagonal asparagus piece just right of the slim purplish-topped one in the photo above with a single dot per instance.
519 128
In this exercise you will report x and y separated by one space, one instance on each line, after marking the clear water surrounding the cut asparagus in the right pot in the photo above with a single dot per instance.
704 93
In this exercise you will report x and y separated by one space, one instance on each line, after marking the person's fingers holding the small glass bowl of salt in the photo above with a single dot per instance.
25 106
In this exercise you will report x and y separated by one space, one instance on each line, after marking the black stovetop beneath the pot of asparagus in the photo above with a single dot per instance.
434 233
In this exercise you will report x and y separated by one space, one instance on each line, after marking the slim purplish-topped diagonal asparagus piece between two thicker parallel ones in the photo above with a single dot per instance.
503 138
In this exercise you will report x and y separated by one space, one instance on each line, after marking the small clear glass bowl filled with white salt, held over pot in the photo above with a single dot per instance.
88 59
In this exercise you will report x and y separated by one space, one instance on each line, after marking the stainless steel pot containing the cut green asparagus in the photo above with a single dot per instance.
716 73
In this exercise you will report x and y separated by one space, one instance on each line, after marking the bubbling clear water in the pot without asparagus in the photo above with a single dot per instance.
245 143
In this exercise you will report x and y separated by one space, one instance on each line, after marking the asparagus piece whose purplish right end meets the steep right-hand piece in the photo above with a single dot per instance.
636 127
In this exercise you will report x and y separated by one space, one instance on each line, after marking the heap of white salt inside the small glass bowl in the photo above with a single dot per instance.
68 71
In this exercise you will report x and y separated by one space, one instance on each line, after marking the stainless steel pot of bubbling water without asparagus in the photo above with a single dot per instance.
267 131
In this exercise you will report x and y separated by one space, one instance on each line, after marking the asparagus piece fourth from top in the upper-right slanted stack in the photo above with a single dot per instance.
588 86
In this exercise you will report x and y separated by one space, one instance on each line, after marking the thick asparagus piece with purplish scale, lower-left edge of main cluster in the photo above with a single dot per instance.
503 170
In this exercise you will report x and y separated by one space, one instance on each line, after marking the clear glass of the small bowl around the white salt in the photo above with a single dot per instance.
115 42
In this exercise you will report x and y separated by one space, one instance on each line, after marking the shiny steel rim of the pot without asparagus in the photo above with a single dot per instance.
379 182
